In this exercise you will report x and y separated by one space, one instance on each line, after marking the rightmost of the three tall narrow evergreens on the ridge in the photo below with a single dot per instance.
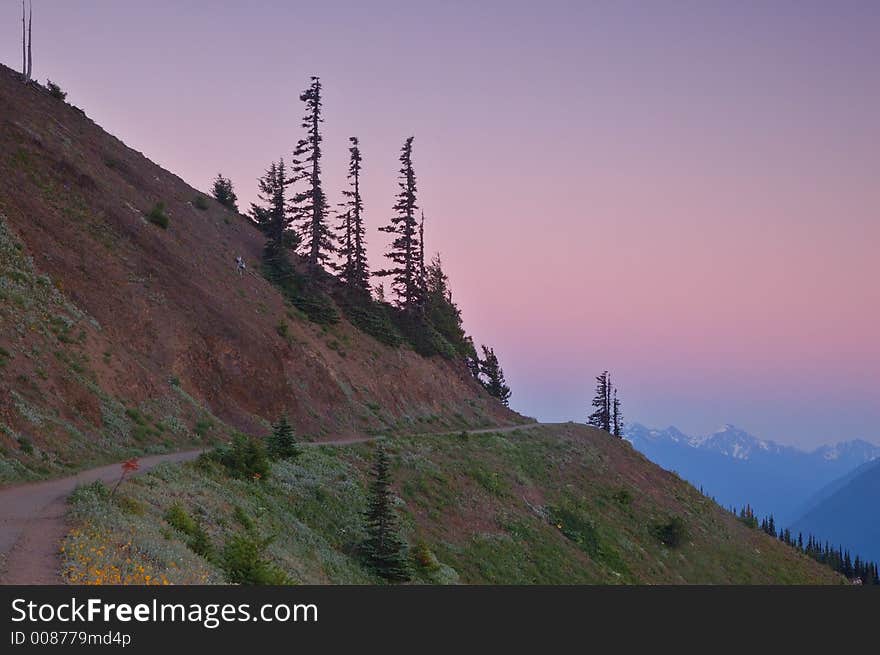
405 247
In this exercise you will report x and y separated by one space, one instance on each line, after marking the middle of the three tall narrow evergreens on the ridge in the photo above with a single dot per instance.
355 269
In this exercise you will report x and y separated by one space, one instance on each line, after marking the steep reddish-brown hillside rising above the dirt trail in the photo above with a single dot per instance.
118 336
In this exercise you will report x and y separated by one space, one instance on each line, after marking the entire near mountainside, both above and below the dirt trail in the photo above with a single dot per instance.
121 337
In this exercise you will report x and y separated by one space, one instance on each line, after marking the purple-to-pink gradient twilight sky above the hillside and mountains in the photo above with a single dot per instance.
686 193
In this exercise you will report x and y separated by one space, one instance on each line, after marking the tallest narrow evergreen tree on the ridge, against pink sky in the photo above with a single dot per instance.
311 203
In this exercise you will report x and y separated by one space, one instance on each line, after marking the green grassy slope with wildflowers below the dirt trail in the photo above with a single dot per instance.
559 504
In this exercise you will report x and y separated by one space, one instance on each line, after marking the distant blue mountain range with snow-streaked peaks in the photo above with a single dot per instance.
738 468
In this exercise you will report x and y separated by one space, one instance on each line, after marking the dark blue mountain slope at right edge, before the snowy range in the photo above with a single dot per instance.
847 513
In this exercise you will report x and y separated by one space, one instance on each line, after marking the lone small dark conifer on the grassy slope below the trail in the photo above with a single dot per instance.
384 549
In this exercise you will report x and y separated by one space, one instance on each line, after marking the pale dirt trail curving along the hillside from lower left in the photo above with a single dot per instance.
32 515
